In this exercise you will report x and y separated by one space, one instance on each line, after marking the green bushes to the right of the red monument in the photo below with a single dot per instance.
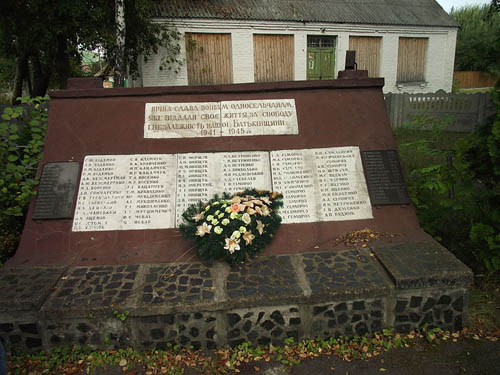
454 182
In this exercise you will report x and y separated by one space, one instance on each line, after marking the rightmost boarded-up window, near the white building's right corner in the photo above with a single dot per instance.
412 55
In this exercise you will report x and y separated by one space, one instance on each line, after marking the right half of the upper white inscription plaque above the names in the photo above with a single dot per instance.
259 117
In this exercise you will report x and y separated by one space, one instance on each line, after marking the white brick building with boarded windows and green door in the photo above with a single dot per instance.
411 43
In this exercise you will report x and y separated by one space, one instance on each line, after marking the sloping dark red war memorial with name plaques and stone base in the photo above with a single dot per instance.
121 165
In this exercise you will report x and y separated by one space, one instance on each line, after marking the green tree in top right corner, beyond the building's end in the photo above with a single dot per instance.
478 39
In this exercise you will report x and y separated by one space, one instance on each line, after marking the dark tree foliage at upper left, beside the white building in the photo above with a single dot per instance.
44 37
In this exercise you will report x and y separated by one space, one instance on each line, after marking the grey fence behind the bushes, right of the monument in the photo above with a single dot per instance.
465 110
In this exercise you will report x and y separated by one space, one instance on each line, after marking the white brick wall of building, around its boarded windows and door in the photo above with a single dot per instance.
439 64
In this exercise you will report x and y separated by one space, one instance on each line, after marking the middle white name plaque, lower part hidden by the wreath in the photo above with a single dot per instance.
202 175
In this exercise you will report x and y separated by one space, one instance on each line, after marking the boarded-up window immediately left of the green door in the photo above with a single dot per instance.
273 57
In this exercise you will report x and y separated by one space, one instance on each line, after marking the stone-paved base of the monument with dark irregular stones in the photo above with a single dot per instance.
348 292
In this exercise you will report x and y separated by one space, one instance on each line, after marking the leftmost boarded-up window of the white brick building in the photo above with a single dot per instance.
208 59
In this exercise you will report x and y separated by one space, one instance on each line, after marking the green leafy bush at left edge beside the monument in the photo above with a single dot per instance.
22 133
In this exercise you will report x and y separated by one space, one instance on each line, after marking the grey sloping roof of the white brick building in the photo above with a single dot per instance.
375 12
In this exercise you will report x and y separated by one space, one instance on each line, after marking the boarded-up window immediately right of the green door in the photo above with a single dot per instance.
367 53
